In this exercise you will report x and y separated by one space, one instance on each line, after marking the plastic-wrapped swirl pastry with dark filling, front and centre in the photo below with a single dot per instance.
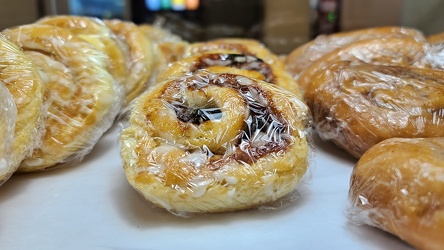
214 143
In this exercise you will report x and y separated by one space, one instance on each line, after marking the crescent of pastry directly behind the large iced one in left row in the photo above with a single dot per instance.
141 56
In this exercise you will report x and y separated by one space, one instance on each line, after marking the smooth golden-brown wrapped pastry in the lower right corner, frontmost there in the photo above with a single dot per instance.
397 185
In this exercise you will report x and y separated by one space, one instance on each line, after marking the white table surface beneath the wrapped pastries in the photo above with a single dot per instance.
92 206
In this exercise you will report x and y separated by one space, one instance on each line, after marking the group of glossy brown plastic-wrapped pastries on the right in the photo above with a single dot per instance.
379 94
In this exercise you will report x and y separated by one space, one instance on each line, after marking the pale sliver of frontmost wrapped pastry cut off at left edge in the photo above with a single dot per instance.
8 117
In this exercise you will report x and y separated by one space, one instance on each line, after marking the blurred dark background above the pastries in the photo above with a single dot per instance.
281 24
